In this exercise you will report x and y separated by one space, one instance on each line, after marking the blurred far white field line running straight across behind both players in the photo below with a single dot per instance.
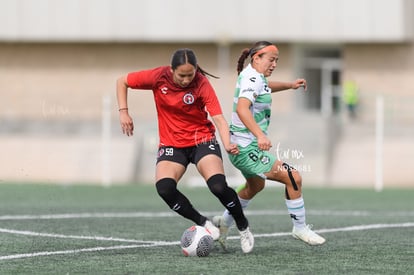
173 214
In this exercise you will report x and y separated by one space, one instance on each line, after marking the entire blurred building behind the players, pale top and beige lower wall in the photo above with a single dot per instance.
59 60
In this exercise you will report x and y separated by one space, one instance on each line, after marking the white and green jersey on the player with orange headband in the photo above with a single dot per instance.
253 86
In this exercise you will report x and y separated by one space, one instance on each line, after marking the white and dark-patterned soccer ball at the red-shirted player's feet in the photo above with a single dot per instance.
196 241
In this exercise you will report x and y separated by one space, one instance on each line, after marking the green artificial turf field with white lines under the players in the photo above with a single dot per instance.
129 230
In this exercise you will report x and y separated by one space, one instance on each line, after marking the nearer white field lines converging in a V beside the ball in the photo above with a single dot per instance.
157 243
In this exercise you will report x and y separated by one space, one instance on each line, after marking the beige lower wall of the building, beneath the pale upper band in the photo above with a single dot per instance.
52 102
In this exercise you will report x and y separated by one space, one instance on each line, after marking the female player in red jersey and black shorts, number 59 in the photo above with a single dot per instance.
183 96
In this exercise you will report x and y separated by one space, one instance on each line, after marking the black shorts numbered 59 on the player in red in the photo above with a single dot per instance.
191 154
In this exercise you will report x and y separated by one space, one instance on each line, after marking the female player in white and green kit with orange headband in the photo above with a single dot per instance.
249 128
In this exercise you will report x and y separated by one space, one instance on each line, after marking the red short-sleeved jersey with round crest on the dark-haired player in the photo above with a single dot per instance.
182 112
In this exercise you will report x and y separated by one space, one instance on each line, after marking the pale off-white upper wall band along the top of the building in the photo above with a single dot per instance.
316 21
